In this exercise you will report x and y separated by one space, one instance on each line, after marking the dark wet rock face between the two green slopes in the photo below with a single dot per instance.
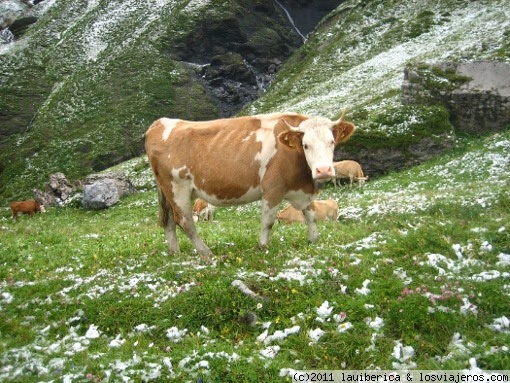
236 54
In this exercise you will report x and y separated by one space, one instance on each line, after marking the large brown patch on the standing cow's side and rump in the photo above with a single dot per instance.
205 151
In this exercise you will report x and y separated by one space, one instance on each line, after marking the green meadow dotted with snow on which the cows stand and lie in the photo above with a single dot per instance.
410 250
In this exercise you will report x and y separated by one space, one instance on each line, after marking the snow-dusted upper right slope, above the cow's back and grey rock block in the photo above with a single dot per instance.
356 59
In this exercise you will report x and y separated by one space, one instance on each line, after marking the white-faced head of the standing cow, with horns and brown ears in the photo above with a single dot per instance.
317 138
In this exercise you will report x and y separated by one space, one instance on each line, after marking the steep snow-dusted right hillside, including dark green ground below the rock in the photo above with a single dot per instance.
356 61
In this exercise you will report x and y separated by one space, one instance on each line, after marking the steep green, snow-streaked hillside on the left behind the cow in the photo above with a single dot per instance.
81 84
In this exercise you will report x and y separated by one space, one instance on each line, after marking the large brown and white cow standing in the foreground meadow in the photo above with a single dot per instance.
240 160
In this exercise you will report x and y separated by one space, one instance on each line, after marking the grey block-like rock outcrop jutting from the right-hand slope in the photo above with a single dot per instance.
476 94
